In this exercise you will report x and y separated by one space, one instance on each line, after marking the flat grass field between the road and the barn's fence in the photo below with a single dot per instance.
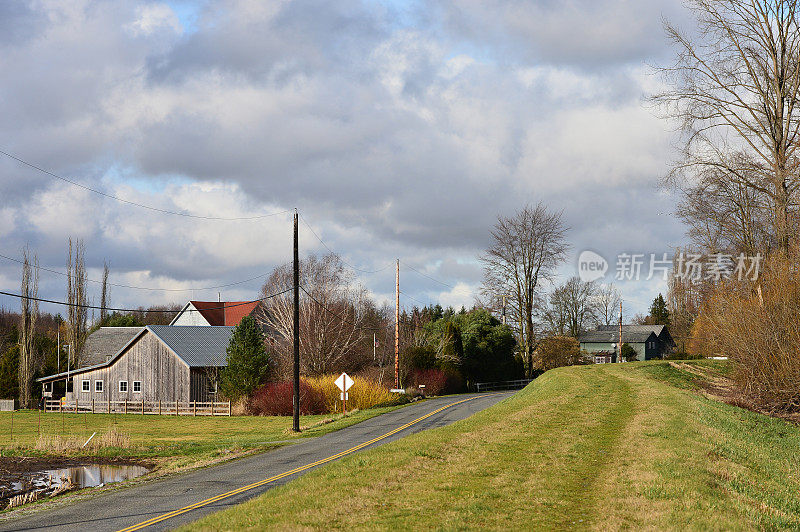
152 436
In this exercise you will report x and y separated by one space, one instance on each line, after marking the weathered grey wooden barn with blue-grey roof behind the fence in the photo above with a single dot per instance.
160 363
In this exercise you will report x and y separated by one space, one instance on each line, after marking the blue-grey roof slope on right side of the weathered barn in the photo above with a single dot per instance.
197 345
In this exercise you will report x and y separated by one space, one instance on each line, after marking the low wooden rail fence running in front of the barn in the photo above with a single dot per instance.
164 408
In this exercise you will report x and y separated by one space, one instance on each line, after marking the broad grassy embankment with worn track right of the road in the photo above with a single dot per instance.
598 447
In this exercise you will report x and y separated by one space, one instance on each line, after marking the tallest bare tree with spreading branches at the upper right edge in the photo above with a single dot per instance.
735 91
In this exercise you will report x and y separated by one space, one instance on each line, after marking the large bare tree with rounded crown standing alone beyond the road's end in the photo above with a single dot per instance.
526 248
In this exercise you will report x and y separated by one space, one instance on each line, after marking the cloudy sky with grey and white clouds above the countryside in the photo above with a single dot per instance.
397 129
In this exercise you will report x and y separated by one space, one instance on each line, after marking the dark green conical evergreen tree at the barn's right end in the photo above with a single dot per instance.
248 361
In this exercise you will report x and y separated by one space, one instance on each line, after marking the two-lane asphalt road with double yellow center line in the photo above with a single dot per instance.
173 501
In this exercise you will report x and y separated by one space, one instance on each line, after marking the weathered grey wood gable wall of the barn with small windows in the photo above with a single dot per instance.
164 376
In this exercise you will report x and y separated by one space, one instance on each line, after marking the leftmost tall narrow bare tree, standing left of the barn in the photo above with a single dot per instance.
27 329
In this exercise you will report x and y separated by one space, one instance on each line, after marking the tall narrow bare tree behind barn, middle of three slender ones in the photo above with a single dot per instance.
76 299
